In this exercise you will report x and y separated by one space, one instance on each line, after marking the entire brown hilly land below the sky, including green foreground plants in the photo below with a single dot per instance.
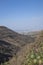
20 49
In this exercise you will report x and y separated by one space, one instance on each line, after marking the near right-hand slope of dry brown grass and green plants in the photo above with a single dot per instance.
30 54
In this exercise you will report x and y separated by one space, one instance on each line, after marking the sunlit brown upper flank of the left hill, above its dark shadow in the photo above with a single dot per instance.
14 37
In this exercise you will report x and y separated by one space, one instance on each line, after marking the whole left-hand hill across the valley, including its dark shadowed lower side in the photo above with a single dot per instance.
11 42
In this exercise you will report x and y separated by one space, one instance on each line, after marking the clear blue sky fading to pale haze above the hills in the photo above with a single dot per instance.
20 15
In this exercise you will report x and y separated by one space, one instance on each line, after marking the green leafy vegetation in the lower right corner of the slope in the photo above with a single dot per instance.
35 56
